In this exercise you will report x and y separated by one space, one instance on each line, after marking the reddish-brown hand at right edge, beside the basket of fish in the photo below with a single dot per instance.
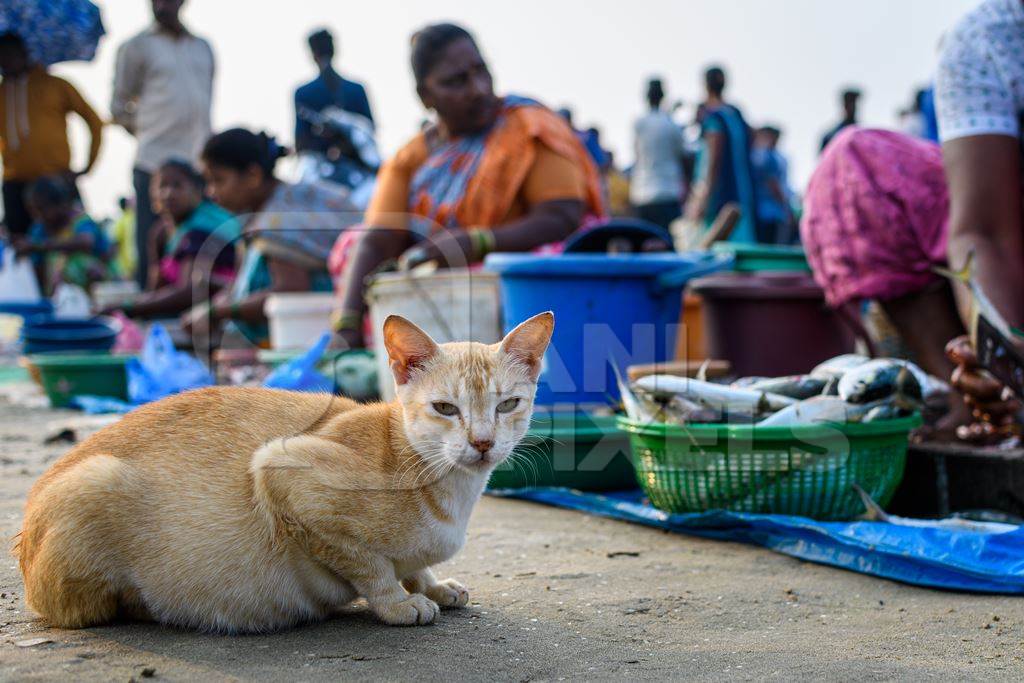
992 404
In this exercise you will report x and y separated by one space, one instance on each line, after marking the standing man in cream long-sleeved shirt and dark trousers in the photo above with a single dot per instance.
163 92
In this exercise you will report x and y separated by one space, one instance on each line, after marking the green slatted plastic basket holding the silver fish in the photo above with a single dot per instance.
808 471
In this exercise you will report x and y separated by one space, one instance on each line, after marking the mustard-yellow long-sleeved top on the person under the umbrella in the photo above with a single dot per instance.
34 111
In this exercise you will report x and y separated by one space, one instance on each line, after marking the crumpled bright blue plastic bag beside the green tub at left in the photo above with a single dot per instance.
162 370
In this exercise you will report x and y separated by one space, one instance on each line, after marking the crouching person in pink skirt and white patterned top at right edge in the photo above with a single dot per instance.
883 210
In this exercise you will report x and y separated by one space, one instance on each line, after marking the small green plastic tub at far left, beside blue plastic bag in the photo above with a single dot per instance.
68 375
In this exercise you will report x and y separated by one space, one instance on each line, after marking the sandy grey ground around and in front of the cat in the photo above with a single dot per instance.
557 595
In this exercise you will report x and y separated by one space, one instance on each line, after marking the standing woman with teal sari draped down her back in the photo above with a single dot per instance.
723 174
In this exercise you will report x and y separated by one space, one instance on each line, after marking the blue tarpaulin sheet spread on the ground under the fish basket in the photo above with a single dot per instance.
932 557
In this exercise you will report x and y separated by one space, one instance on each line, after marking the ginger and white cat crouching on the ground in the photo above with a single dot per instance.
247 510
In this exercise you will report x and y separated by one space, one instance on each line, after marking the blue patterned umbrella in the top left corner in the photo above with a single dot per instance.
54 30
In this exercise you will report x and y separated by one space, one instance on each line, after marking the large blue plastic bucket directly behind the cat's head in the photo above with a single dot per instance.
623 310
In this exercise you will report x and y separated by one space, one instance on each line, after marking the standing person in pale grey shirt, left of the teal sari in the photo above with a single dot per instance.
657 184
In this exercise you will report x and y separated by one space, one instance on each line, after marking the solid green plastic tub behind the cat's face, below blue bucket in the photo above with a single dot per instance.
573 450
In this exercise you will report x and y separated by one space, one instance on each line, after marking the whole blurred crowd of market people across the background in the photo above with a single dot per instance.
212 229
